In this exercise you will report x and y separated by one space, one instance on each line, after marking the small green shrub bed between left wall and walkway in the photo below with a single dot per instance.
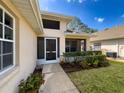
32 83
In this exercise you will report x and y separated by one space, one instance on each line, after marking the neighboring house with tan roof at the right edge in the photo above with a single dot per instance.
110 40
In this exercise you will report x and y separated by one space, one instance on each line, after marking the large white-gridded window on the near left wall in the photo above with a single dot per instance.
6 40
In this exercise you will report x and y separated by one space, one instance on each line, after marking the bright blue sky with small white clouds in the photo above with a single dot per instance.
98 14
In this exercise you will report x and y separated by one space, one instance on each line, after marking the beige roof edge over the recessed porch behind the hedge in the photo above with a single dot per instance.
76 36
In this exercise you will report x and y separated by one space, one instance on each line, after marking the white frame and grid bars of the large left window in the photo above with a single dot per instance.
6 69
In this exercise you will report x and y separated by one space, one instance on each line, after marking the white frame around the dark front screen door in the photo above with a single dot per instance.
50 61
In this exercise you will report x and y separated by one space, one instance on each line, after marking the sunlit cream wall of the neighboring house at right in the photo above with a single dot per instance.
116 45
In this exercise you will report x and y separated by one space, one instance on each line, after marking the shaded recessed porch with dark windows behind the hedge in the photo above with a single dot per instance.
76 42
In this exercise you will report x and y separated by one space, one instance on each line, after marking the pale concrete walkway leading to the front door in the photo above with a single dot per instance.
56 80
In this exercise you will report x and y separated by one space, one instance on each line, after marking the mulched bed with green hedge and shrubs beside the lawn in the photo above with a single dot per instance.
75 61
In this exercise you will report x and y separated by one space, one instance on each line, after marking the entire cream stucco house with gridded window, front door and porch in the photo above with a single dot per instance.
24 41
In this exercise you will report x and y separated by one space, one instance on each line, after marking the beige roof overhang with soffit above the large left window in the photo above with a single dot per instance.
31 12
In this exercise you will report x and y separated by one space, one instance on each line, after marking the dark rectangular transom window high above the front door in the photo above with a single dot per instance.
50 24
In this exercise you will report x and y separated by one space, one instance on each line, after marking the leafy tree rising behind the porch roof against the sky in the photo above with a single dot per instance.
78 26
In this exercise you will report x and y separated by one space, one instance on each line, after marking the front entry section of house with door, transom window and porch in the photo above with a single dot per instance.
56 39
